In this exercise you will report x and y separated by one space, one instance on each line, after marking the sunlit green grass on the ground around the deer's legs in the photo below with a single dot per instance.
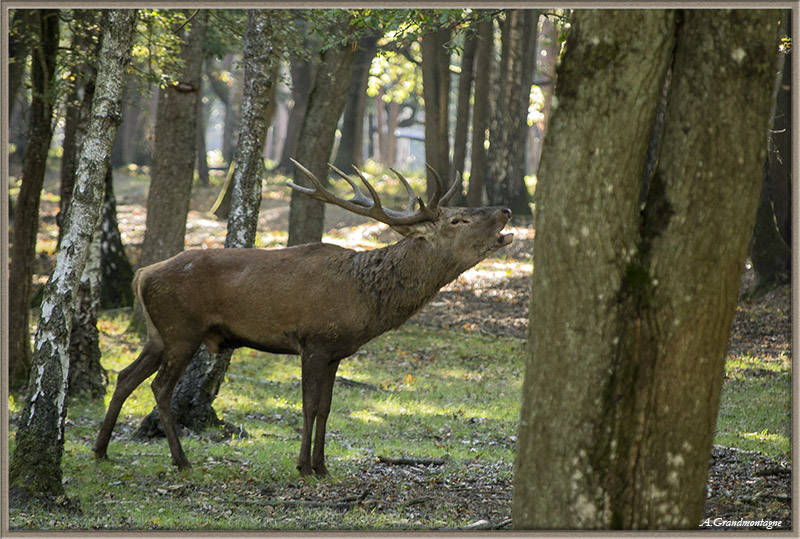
450 394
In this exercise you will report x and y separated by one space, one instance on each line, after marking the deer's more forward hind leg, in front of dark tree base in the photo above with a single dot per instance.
175 362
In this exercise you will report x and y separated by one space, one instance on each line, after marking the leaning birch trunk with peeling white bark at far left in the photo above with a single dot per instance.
35 464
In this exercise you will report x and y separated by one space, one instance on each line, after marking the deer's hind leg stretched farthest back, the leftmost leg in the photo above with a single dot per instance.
129 379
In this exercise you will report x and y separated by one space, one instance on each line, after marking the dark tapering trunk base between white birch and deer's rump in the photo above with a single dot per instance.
116 272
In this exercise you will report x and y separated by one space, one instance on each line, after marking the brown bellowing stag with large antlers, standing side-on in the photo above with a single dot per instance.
316 300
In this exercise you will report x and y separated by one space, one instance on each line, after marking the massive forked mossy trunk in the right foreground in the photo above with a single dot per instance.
630 313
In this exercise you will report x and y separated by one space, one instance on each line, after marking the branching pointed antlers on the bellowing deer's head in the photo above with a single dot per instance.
371 206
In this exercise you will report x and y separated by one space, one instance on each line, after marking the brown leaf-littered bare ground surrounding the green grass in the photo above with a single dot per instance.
493 300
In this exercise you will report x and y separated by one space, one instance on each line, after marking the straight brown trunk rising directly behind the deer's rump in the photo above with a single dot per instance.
175 151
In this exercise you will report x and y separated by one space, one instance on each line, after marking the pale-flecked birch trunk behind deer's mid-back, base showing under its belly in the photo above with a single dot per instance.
199 385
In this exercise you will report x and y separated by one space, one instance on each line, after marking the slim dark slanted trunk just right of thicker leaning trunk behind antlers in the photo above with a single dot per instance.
351 145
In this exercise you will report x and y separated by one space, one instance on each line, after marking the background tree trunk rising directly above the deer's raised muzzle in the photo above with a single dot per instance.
508 128
